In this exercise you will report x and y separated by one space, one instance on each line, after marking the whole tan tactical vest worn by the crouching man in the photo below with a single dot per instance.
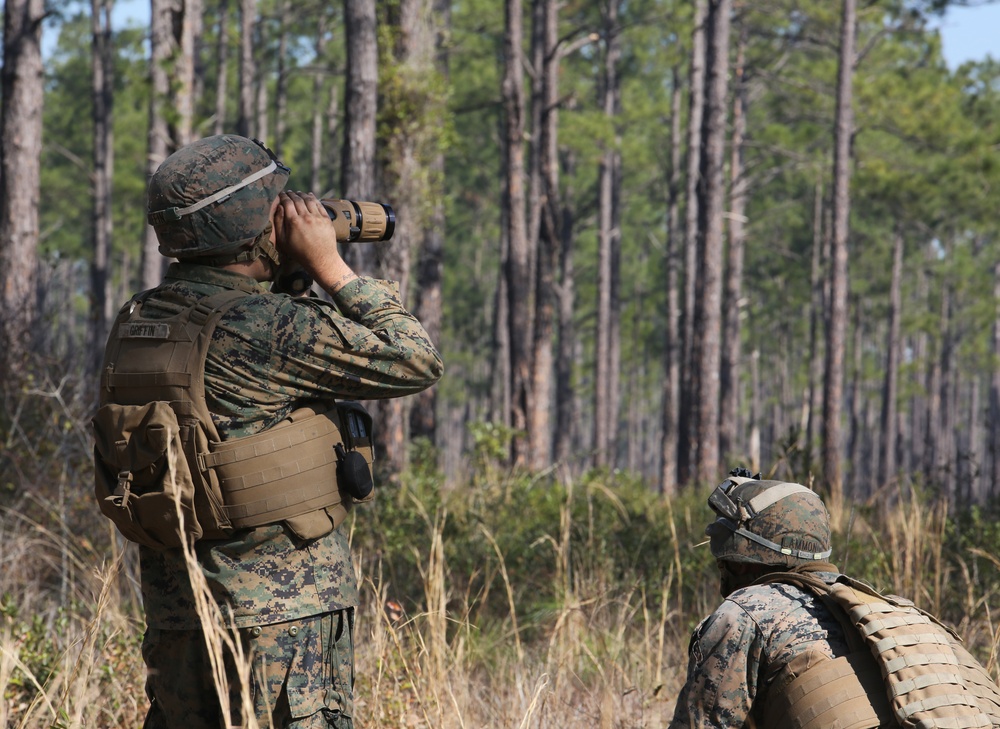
921 676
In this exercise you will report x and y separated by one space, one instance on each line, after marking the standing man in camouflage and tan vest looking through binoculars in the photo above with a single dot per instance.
227 421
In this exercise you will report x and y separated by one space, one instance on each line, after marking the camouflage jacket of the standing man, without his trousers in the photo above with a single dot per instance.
271 354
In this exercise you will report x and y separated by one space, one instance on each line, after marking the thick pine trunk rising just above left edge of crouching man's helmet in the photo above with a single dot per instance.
711 204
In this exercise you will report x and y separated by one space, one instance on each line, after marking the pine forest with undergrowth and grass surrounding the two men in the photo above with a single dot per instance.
653 240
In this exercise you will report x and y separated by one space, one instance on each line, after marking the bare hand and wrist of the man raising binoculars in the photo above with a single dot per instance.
305 233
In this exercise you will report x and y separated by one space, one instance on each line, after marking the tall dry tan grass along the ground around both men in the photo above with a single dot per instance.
607 655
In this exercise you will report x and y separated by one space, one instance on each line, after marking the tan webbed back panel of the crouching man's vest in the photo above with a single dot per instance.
930 680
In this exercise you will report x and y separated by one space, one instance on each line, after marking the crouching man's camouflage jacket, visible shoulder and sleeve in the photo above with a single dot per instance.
739 650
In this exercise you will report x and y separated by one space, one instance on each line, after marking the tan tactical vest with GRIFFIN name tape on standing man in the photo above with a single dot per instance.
162 470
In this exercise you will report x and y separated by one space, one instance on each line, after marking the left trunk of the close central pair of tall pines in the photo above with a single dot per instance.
517 264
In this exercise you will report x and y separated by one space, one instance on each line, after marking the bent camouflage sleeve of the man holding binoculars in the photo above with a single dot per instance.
368 347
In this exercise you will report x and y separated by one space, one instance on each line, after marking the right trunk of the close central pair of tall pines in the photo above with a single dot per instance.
549 240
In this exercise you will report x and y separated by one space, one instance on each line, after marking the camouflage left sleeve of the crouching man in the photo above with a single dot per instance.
723 662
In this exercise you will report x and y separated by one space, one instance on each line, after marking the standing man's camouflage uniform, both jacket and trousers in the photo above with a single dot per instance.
292 601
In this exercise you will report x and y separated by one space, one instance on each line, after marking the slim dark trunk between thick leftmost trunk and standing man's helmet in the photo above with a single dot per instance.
102 75
